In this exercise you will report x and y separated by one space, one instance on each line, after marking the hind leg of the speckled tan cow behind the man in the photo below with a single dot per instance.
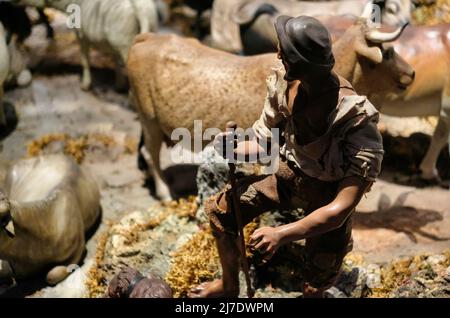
153 138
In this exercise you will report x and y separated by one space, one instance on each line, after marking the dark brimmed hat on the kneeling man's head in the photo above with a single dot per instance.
305 42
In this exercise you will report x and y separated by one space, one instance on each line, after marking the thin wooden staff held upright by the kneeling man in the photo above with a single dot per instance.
237 213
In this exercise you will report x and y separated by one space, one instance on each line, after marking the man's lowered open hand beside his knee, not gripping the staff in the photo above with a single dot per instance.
266 240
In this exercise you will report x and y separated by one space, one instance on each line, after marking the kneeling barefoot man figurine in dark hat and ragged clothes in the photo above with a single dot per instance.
331 156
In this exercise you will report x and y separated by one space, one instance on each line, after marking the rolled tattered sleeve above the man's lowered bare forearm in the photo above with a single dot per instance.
364 150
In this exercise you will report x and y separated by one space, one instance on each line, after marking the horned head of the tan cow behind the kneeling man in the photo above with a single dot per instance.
373 67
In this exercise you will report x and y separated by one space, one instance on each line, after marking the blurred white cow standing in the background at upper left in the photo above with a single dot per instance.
108 25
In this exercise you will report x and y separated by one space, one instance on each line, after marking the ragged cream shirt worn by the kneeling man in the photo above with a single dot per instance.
351 146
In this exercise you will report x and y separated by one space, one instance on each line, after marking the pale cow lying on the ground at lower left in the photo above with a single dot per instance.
46 208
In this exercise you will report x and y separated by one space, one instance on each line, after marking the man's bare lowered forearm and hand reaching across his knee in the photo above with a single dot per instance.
324 219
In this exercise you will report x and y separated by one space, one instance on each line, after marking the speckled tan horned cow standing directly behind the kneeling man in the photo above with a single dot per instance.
175 81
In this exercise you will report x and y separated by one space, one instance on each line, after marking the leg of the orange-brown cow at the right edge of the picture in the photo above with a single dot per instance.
438 141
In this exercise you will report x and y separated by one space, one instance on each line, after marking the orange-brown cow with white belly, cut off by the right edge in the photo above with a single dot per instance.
427 50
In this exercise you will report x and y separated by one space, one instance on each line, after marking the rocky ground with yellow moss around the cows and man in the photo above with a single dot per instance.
401 232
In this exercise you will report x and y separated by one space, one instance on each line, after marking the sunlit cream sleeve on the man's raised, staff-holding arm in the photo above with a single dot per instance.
271 115
